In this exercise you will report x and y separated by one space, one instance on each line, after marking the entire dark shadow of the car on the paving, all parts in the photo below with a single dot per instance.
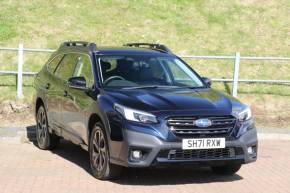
140 177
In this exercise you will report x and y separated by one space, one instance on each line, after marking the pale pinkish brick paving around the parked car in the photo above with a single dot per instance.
25 168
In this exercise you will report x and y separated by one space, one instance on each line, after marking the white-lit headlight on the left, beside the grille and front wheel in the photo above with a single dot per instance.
135 115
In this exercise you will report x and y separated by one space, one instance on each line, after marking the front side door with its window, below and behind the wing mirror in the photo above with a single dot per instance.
76 104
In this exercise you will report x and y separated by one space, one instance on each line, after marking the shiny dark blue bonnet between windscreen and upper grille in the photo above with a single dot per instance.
173 99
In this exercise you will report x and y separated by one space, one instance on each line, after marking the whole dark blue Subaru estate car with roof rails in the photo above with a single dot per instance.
139 105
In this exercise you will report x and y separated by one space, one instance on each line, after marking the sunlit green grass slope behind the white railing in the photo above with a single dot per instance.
257 28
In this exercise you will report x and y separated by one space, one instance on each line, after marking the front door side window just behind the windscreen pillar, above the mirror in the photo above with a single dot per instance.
84 68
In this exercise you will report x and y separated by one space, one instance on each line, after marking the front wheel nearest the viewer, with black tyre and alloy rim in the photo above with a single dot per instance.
100 164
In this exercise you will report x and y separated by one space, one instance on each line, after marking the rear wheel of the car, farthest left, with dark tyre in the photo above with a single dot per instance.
45 140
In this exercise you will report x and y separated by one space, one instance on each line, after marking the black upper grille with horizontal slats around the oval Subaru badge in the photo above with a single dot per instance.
184 126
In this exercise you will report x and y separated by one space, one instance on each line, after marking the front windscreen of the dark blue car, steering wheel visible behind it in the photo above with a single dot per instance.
146 70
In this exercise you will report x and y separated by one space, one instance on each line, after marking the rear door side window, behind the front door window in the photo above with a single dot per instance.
66 67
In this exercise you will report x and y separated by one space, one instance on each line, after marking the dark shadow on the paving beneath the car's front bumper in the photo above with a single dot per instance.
172 176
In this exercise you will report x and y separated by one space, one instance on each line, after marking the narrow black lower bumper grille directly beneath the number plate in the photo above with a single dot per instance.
201 154
